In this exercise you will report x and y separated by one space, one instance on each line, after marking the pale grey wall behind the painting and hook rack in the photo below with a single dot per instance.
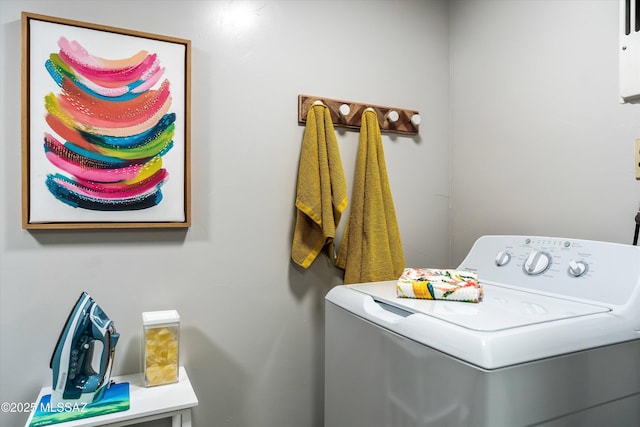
252 323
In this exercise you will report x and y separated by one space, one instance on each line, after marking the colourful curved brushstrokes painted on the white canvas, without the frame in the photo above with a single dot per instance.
109 127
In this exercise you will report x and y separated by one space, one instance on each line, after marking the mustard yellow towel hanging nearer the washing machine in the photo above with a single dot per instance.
371 249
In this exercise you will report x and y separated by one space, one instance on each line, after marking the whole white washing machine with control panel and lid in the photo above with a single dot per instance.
554 342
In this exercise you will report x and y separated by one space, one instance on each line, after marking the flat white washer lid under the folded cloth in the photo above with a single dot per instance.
501 308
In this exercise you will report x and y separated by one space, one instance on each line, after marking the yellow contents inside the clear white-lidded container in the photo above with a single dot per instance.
161 356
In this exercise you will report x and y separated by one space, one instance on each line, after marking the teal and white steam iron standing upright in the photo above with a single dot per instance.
79 376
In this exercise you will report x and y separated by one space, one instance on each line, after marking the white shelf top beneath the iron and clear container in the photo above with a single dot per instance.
146 403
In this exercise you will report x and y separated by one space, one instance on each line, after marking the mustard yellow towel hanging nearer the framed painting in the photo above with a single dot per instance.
322 190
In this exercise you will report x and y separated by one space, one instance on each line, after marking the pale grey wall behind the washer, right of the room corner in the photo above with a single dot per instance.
541 144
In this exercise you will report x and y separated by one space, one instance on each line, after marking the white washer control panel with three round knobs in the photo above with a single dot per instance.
600 272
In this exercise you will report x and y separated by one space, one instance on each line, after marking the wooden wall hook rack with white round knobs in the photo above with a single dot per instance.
348 114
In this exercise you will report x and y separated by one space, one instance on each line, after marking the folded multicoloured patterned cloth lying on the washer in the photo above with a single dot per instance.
439 284
